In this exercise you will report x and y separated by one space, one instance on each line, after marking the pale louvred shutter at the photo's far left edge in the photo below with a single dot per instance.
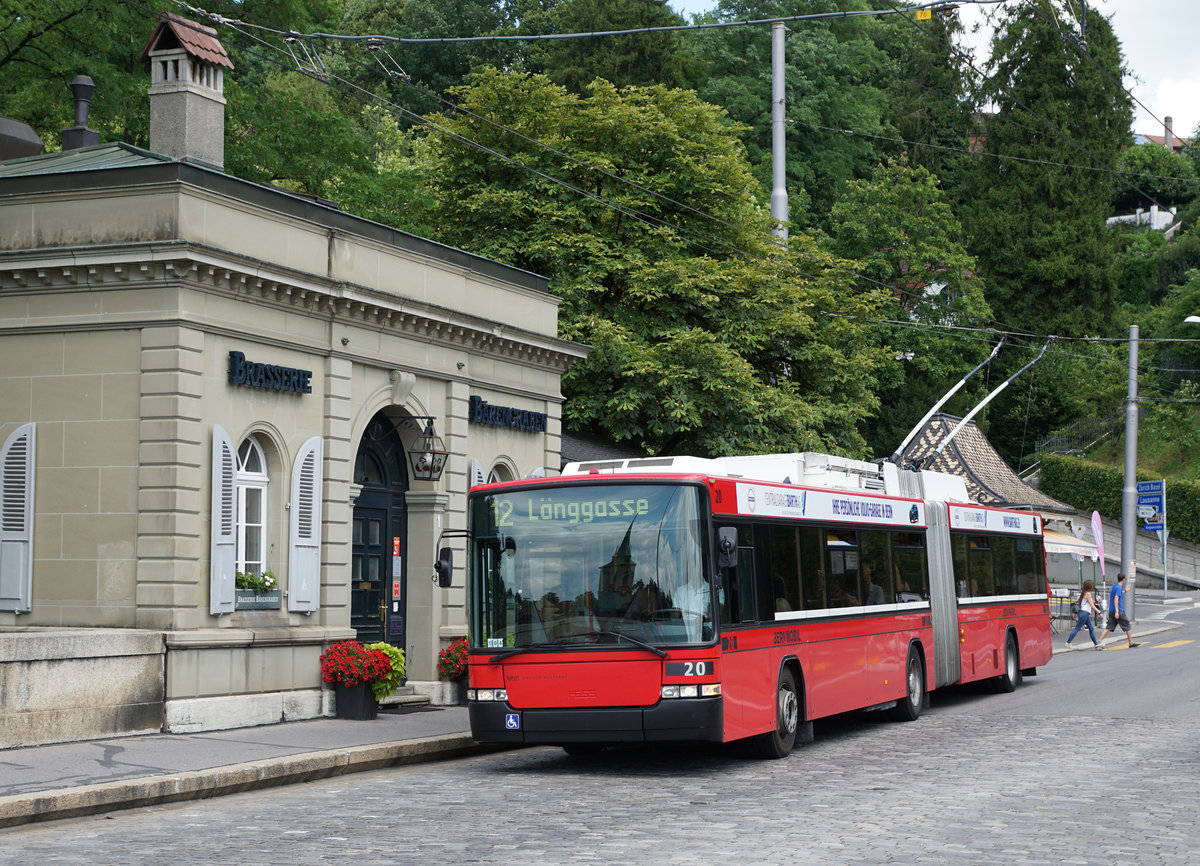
17 461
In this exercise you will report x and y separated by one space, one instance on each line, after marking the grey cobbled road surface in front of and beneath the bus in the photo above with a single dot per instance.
1096 761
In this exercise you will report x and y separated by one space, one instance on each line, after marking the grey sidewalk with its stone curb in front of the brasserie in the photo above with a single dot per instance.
75 779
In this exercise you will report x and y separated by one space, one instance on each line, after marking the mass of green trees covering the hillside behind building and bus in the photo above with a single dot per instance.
921 208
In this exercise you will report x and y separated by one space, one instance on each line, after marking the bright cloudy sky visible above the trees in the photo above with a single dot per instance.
1161 40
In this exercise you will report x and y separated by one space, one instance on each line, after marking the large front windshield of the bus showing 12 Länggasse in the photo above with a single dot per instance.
590 564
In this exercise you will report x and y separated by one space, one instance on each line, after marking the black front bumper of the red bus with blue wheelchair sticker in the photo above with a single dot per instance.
686 720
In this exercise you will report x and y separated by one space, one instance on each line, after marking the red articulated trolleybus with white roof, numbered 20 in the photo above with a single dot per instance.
681 599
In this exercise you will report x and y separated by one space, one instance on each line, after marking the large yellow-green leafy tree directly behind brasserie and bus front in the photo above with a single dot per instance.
707 338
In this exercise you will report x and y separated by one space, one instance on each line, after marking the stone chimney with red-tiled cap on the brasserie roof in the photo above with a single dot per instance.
188 68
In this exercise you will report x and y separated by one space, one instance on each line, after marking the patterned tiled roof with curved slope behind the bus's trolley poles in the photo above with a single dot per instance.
991 482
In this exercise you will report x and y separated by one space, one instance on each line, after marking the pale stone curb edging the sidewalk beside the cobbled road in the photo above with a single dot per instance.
218 781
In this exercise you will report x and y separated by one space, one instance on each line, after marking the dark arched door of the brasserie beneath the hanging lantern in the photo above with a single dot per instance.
380 537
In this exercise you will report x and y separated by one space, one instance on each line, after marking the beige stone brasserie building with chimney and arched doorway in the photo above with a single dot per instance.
203 377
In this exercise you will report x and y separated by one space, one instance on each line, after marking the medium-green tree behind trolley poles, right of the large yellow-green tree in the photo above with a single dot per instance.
899 227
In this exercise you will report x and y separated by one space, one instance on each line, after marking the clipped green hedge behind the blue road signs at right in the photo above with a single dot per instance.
1096 488
